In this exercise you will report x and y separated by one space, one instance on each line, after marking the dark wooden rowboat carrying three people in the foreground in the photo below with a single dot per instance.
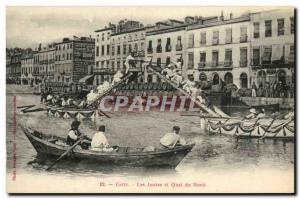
54 146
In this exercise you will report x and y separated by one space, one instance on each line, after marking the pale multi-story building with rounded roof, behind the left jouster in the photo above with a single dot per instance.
129 38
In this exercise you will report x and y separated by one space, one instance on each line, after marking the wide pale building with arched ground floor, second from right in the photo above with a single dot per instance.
218 50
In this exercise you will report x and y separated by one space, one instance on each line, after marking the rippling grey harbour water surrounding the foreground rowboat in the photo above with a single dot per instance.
212 154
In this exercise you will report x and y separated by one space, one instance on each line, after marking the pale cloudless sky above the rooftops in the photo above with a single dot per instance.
29 26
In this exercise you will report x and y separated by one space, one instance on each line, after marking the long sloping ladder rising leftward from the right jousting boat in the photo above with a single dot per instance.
185 93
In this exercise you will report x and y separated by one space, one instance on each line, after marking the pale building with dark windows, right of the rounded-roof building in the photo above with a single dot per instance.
165 43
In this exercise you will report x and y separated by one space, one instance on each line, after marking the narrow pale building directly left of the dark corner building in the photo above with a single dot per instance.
46 62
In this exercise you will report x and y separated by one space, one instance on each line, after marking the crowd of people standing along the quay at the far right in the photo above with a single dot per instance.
276 89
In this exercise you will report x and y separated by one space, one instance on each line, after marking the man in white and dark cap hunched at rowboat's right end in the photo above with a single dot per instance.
170 140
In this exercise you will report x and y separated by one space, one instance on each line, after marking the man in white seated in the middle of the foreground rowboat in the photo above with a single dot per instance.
99 141
